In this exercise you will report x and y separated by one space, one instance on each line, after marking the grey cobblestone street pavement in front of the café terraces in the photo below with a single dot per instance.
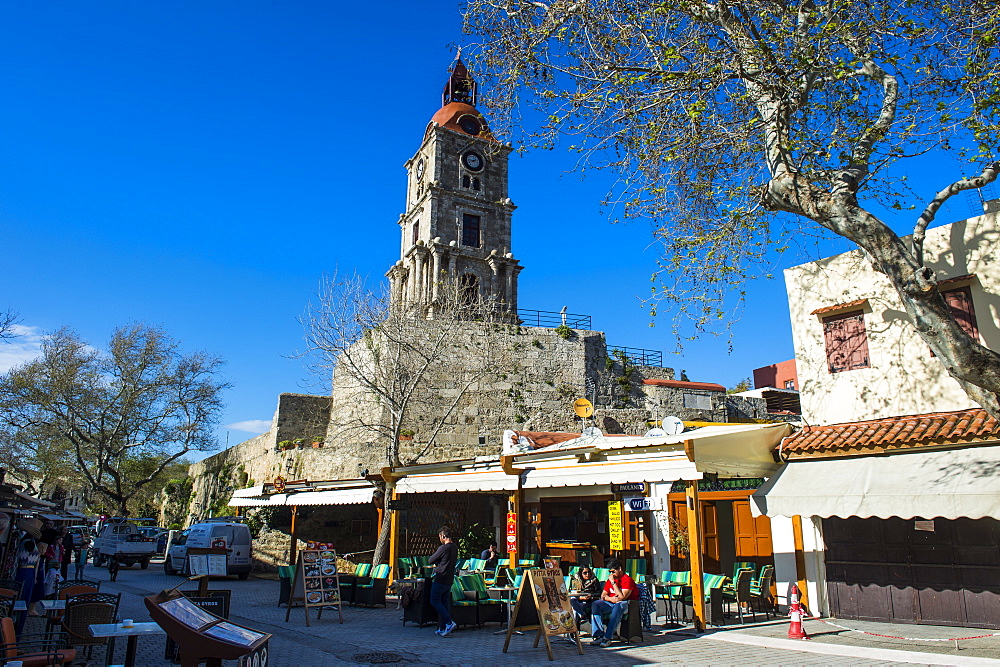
368 631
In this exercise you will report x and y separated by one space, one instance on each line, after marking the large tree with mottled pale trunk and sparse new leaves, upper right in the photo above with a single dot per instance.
739 129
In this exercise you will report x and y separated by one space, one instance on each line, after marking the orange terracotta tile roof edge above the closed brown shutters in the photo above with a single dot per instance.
939 428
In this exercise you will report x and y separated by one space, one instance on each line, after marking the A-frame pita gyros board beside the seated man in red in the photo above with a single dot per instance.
543 605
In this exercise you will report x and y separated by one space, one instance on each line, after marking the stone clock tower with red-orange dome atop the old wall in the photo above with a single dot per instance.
456 228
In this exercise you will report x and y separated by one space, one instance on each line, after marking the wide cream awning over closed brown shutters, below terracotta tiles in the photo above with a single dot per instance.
945 483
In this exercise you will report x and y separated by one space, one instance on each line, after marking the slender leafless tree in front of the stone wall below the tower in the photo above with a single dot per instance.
397 371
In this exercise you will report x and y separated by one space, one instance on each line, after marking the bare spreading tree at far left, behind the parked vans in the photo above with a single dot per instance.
123 416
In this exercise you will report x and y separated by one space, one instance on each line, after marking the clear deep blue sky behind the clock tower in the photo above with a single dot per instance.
199 165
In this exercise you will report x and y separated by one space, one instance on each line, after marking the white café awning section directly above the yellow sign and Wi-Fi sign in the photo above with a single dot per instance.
612 472
